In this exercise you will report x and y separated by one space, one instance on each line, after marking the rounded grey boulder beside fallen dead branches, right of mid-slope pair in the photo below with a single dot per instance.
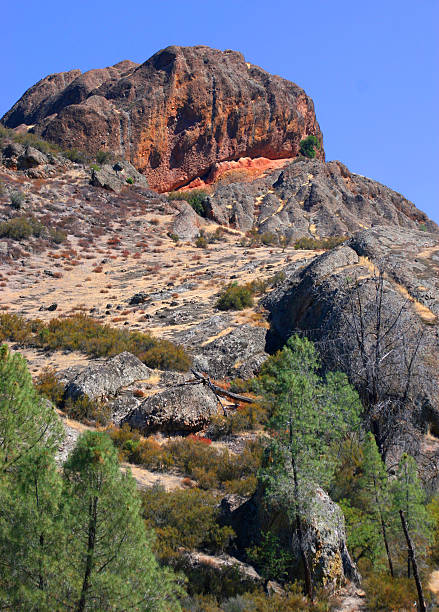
179 409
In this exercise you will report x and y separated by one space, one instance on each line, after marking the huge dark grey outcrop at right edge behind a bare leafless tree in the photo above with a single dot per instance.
339 299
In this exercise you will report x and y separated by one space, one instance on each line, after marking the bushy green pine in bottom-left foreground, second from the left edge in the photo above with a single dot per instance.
109 562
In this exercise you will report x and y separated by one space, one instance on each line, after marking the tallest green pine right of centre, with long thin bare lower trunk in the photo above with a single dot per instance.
309 416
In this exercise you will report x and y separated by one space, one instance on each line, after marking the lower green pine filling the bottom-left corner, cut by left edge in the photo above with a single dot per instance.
31 533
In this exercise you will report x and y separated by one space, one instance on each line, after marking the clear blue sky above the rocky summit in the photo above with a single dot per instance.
371 67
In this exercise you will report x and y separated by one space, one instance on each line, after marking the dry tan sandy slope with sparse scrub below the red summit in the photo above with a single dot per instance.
117 246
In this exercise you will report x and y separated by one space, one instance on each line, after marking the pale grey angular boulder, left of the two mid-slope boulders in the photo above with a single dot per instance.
103 380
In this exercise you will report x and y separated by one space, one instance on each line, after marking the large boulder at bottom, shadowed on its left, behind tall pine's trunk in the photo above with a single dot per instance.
324 536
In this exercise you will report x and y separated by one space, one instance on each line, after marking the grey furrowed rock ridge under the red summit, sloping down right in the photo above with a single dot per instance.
313 199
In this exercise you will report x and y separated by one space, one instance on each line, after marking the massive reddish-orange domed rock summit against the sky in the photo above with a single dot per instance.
174 117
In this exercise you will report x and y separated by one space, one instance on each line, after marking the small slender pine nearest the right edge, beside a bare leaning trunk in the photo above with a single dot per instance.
409 496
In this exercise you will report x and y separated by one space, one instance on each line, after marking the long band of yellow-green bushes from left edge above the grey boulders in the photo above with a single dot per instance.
81 333
